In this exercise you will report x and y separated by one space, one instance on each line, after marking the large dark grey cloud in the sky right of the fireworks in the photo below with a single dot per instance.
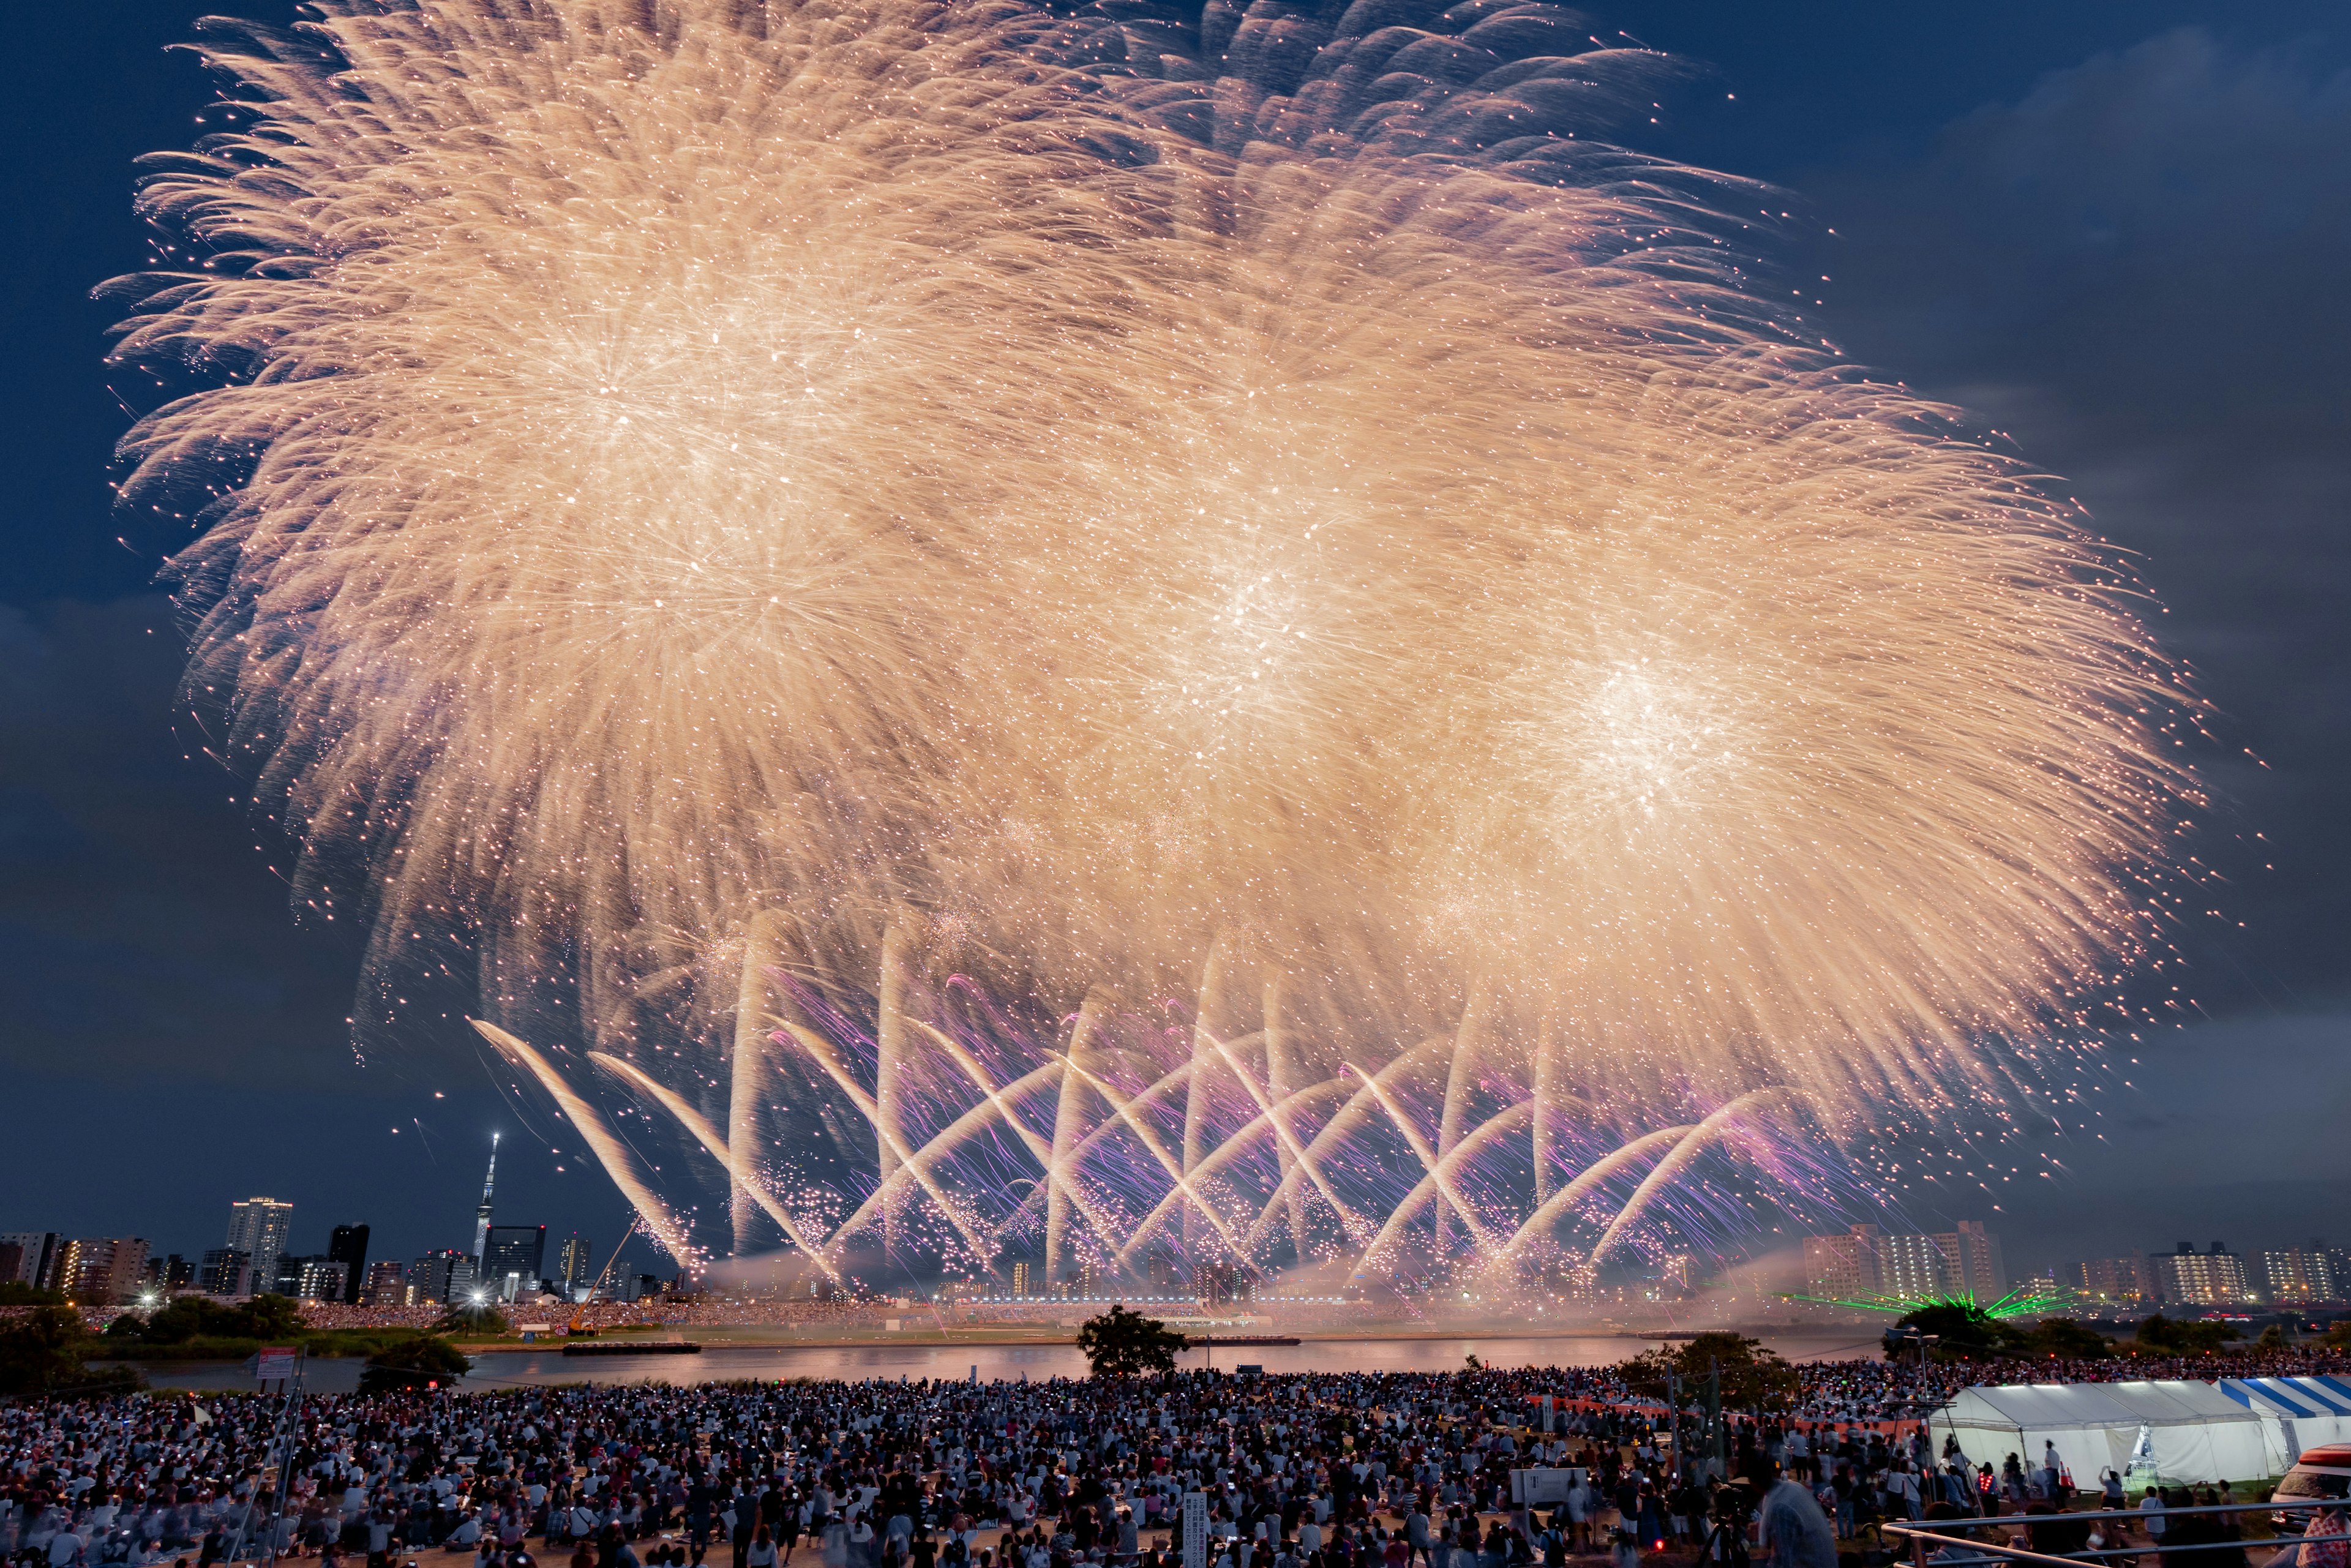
2136 272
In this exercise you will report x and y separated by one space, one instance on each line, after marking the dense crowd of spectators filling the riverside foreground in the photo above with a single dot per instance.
1329 1470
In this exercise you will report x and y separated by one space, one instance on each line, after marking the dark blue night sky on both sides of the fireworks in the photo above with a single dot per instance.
2115 232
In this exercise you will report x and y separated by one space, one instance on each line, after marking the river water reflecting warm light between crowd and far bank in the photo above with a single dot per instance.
998 1362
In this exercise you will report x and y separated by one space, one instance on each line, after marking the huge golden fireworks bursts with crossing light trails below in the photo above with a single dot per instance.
732 516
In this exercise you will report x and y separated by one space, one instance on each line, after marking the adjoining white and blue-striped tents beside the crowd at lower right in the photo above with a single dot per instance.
2197 1433
